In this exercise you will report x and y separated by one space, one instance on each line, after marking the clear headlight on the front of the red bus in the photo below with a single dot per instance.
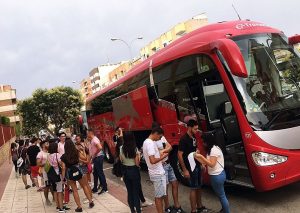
266 159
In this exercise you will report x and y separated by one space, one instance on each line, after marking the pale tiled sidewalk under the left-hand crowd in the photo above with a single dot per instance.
16 199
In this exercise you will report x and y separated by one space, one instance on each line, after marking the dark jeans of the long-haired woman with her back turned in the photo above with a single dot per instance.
133 182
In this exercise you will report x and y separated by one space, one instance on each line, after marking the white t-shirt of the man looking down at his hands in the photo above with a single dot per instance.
149 149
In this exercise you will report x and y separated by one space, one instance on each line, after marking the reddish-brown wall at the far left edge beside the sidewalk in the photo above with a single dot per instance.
7 135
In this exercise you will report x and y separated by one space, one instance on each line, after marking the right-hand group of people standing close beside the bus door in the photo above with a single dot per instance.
156 151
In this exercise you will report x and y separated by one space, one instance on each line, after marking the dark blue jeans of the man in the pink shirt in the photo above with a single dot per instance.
99 173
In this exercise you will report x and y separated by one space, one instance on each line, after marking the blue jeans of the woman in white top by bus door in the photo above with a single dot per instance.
217 183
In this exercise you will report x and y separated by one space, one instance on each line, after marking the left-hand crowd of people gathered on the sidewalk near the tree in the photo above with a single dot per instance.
63 166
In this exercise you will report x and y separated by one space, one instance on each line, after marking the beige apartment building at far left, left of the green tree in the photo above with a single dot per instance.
8 103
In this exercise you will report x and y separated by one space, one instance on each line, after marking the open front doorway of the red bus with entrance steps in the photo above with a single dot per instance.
222 118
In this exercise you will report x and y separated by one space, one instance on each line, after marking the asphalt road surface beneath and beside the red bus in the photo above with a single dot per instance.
286 199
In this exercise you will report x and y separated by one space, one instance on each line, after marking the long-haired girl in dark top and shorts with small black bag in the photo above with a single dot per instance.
73 173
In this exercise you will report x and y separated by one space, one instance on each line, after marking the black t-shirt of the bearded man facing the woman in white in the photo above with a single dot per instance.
188 145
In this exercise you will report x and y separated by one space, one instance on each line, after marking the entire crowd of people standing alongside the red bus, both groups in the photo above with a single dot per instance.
64 164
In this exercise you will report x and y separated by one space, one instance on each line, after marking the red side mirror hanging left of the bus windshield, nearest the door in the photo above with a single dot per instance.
233 56
